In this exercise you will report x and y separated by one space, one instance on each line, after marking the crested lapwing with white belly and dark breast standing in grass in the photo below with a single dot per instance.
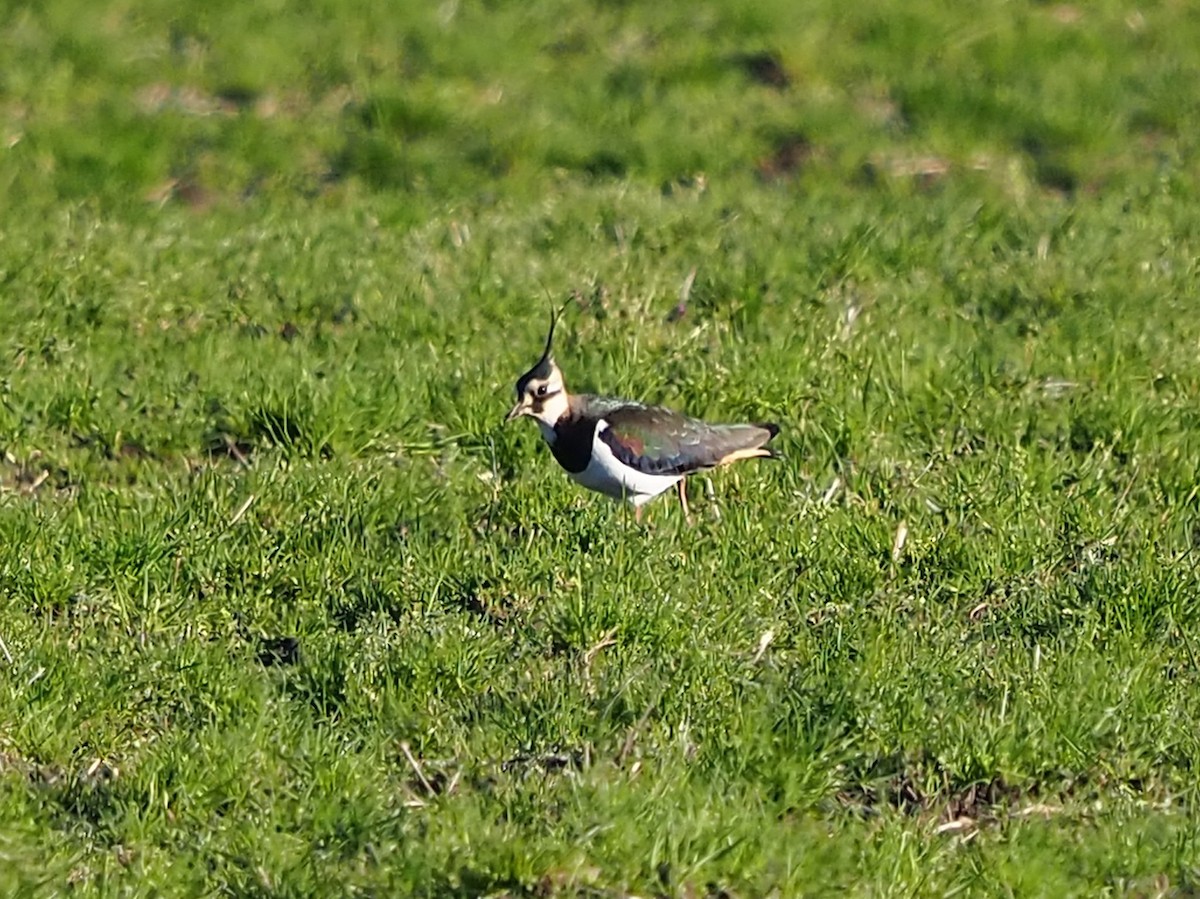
627 449
